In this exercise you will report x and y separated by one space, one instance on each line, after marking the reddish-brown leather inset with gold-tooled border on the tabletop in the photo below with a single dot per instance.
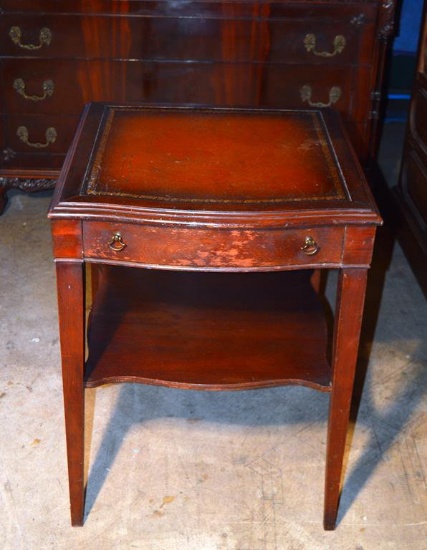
215 158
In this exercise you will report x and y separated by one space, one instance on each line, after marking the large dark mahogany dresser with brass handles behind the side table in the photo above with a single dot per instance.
58 56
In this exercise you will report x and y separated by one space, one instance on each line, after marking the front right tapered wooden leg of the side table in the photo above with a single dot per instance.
348 320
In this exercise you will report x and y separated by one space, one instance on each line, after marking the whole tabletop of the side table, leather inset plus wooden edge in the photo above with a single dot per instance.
163 163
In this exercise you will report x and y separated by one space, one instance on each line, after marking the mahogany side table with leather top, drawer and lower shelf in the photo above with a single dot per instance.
201 228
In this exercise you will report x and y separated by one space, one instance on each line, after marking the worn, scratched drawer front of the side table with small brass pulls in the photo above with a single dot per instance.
203 248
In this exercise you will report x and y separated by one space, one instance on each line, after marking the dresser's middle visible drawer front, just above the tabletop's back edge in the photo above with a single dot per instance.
53 86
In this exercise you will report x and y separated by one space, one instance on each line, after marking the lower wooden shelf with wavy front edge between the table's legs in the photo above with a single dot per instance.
213 331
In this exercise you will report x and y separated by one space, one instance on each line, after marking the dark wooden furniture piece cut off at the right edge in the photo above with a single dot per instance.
411 191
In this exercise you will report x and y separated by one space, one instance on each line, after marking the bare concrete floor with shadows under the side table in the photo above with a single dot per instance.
184 470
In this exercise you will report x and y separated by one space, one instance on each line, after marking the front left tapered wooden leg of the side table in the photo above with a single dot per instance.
71 307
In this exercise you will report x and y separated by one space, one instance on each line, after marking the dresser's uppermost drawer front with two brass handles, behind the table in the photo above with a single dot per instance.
223 32
